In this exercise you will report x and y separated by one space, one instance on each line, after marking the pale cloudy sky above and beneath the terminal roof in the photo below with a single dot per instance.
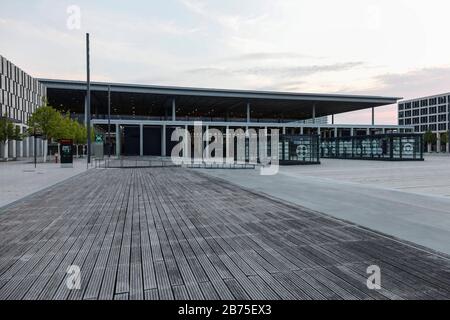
394 48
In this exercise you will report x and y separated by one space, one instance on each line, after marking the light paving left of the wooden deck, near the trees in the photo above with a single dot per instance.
19 178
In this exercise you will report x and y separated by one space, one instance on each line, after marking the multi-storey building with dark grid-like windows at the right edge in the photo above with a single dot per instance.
427 114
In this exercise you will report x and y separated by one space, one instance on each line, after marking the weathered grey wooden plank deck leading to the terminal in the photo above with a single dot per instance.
174 233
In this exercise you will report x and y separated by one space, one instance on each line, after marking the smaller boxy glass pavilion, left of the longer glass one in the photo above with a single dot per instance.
299 149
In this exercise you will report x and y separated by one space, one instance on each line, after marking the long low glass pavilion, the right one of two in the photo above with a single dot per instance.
393 147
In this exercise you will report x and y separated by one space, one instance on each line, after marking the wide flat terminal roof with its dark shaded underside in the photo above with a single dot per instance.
147 100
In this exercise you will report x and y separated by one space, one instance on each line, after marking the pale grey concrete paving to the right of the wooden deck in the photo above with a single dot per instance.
409 200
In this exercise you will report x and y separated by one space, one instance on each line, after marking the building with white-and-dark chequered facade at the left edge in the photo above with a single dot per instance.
20 95
